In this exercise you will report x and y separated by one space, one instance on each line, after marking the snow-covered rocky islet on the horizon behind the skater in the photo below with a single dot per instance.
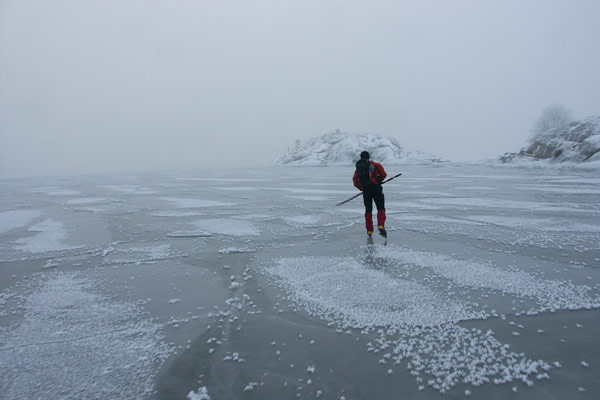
340 148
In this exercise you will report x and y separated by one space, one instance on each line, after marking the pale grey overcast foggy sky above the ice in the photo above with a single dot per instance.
93 86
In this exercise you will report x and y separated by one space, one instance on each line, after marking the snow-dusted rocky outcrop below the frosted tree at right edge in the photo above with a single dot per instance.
576 142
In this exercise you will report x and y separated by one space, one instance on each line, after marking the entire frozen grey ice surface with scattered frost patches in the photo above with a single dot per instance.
489 280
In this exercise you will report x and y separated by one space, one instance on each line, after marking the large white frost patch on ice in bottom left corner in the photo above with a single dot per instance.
59 351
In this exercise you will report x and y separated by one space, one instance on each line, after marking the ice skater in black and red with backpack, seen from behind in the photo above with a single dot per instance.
367 178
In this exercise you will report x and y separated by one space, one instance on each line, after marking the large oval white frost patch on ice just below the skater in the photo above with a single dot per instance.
362 297
